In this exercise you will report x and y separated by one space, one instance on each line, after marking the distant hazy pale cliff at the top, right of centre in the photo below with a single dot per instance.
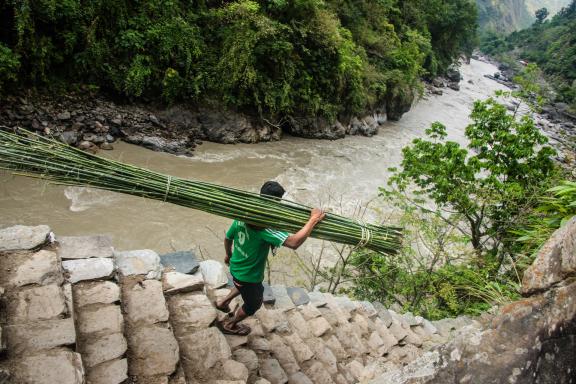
503 16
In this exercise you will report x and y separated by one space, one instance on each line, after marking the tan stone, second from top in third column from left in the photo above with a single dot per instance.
144 302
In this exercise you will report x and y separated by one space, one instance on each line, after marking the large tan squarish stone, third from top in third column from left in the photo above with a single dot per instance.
153 351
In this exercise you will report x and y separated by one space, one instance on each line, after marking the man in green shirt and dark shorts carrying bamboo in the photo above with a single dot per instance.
248 260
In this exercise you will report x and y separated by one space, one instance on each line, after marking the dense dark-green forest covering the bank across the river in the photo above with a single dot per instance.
273 58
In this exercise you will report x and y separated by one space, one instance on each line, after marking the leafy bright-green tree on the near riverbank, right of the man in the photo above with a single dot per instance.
486 189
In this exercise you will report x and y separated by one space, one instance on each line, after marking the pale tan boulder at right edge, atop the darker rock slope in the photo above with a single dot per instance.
555 260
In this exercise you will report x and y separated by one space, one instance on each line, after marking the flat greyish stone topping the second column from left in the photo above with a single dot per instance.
83 247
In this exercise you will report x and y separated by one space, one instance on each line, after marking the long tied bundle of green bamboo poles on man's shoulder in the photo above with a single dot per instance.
27 154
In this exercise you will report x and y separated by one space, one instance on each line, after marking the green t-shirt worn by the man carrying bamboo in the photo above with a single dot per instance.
251 247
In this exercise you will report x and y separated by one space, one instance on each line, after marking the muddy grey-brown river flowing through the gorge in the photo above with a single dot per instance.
340 175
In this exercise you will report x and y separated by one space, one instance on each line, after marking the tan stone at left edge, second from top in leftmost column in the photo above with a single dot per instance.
19 269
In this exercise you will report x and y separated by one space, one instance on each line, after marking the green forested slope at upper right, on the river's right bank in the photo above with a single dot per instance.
550 44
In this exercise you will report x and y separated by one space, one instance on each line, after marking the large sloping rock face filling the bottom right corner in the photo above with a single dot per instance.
530 341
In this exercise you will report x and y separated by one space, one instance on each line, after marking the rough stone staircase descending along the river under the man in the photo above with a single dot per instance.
75 311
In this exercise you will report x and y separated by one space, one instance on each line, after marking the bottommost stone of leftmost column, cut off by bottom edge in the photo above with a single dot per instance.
54 366
